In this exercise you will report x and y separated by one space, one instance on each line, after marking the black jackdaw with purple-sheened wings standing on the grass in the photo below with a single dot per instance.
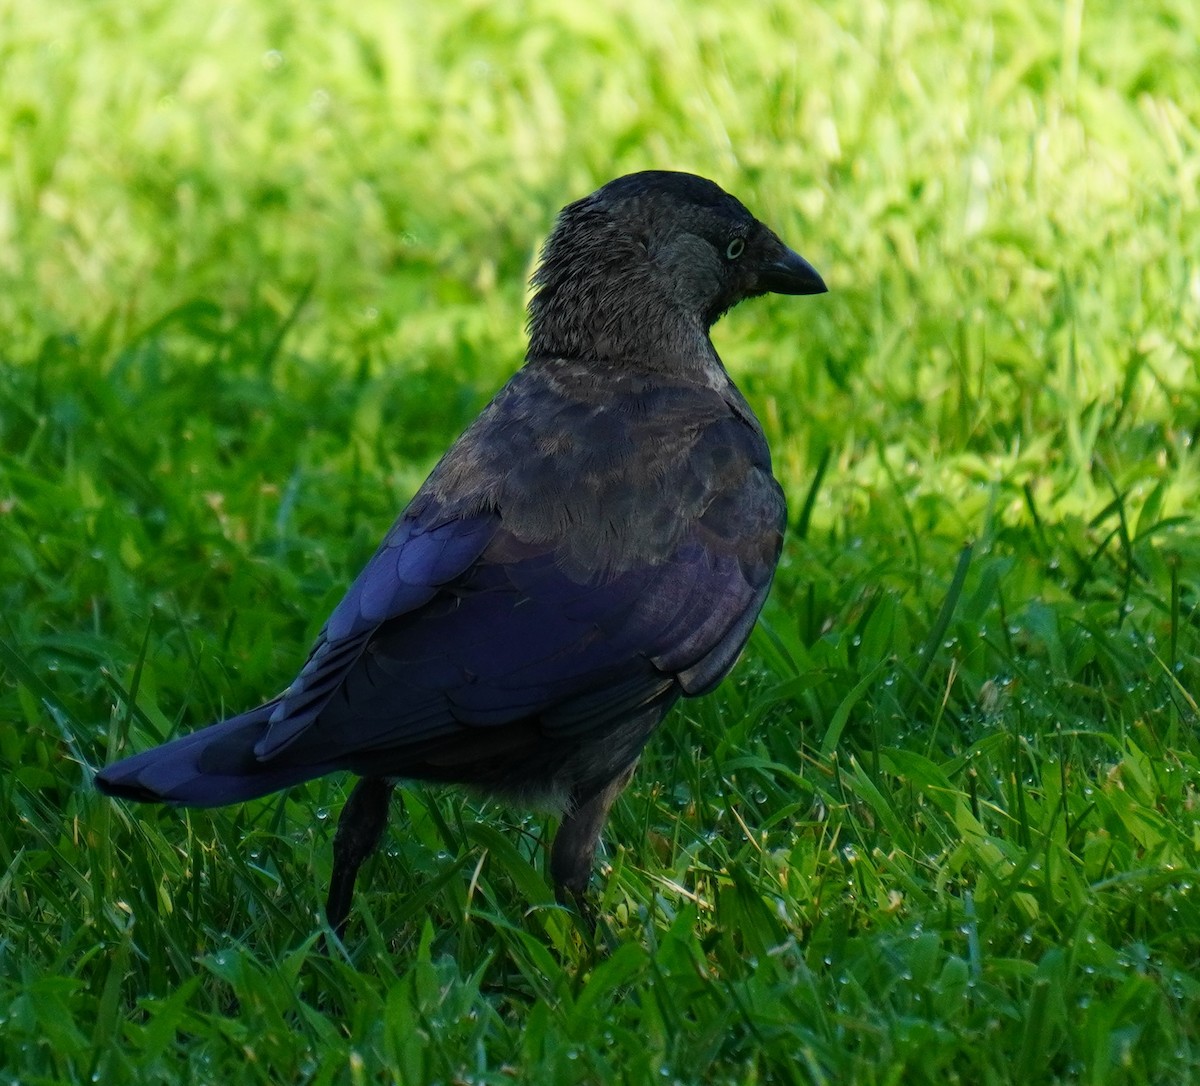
596 545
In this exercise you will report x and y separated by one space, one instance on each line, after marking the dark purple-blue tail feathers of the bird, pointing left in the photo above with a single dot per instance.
212 767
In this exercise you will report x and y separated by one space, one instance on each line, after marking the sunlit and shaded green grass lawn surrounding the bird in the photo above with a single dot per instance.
260 266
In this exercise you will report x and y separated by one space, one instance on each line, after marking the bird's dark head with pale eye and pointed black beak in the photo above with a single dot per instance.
662 245
